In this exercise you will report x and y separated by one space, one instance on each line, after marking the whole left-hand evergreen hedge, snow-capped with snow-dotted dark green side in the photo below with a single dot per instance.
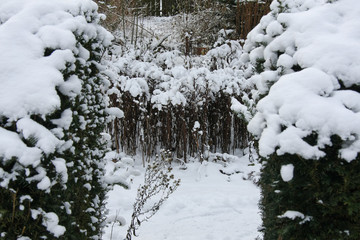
52 114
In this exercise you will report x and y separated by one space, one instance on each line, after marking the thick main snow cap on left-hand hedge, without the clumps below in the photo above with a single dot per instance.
28 29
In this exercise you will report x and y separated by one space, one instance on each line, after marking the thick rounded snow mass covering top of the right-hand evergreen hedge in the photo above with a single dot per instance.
307 57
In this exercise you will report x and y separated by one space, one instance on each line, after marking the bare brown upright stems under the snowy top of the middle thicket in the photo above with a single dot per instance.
148 129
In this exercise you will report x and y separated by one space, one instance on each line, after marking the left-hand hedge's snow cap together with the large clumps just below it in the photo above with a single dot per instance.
37 43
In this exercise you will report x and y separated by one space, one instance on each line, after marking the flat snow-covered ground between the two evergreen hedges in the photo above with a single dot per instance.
207 205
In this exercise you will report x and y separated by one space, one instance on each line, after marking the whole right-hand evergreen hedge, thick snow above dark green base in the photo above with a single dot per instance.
303 65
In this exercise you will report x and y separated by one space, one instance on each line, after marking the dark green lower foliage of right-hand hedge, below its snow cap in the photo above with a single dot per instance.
325 191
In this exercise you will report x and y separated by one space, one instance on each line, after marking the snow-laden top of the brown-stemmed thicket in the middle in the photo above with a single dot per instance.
164 80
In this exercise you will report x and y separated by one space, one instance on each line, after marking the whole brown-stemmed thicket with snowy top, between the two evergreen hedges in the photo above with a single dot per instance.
166 97
